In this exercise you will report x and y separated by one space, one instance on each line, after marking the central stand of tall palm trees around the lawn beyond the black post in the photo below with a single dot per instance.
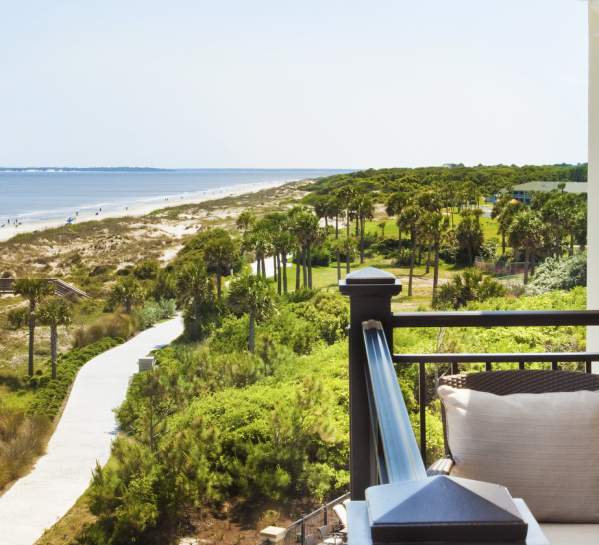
339 218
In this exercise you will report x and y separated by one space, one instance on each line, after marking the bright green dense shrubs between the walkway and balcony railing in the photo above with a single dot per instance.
214 424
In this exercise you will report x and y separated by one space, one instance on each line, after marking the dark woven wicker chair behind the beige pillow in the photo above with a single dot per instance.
526 382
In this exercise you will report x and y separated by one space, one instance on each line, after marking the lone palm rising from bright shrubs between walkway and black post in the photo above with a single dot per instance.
251 295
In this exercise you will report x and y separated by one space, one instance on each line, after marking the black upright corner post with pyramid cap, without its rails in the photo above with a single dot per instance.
370 291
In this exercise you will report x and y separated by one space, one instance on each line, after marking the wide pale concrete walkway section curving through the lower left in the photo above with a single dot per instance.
82 437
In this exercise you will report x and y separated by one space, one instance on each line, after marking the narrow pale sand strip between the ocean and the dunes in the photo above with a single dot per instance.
142 208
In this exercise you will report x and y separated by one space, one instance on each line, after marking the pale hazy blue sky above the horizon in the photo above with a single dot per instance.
276 83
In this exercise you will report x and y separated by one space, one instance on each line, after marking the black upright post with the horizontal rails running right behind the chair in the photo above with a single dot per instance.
370 292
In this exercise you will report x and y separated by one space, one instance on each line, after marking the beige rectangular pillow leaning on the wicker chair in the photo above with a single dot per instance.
542 447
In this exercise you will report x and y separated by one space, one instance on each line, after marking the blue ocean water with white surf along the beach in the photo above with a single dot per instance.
55 196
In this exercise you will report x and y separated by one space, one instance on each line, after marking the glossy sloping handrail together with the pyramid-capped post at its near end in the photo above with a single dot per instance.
408 506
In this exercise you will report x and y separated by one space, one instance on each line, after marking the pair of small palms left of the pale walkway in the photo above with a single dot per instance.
45 309
